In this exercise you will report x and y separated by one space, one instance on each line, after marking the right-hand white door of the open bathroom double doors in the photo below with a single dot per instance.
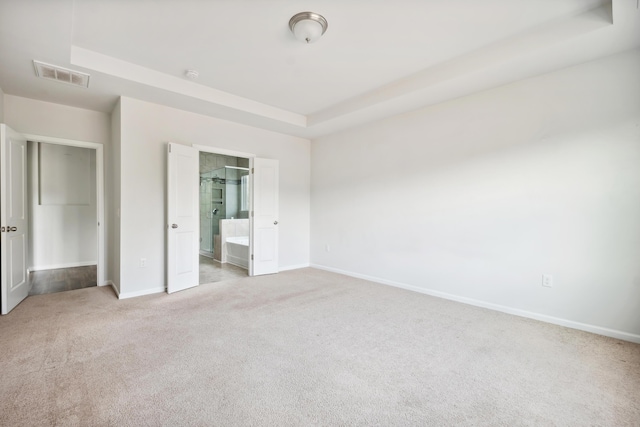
264 224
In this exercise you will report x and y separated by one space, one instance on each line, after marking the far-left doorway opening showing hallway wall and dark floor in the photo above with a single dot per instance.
62 194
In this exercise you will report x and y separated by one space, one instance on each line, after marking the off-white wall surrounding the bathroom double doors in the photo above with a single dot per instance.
146 129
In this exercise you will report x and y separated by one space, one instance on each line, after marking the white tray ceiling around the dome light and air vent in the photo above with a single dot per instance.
377 58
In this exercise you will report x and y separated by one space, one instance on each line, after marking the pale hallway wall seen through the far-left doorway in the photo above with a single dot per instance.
63 233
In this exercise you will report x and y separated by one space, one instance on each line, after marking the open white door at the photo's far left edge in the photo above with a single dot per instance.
13 218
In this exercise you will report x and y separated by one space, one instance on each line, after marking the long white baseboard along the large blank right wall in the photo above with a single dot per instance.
625 336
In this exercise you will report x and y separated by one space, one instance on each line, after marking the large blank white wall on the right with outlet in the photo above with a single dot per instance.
476 198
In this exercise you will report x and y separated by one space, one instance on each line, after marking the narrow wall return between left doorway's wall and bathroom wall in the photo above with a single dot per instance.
113 210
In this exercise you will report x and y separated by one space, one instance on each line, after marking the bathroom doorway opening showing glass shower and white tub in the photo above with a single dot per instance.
224 217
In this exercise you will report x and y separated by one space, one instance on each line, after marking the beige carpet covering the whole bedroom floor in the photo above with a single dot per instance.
303 347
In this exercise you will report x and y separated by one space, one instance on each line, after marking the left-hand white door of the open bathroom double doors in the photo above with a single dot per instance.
183 216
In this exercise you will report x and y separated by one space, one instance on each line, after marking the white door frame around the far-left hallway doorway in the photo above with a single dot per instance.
100 197
